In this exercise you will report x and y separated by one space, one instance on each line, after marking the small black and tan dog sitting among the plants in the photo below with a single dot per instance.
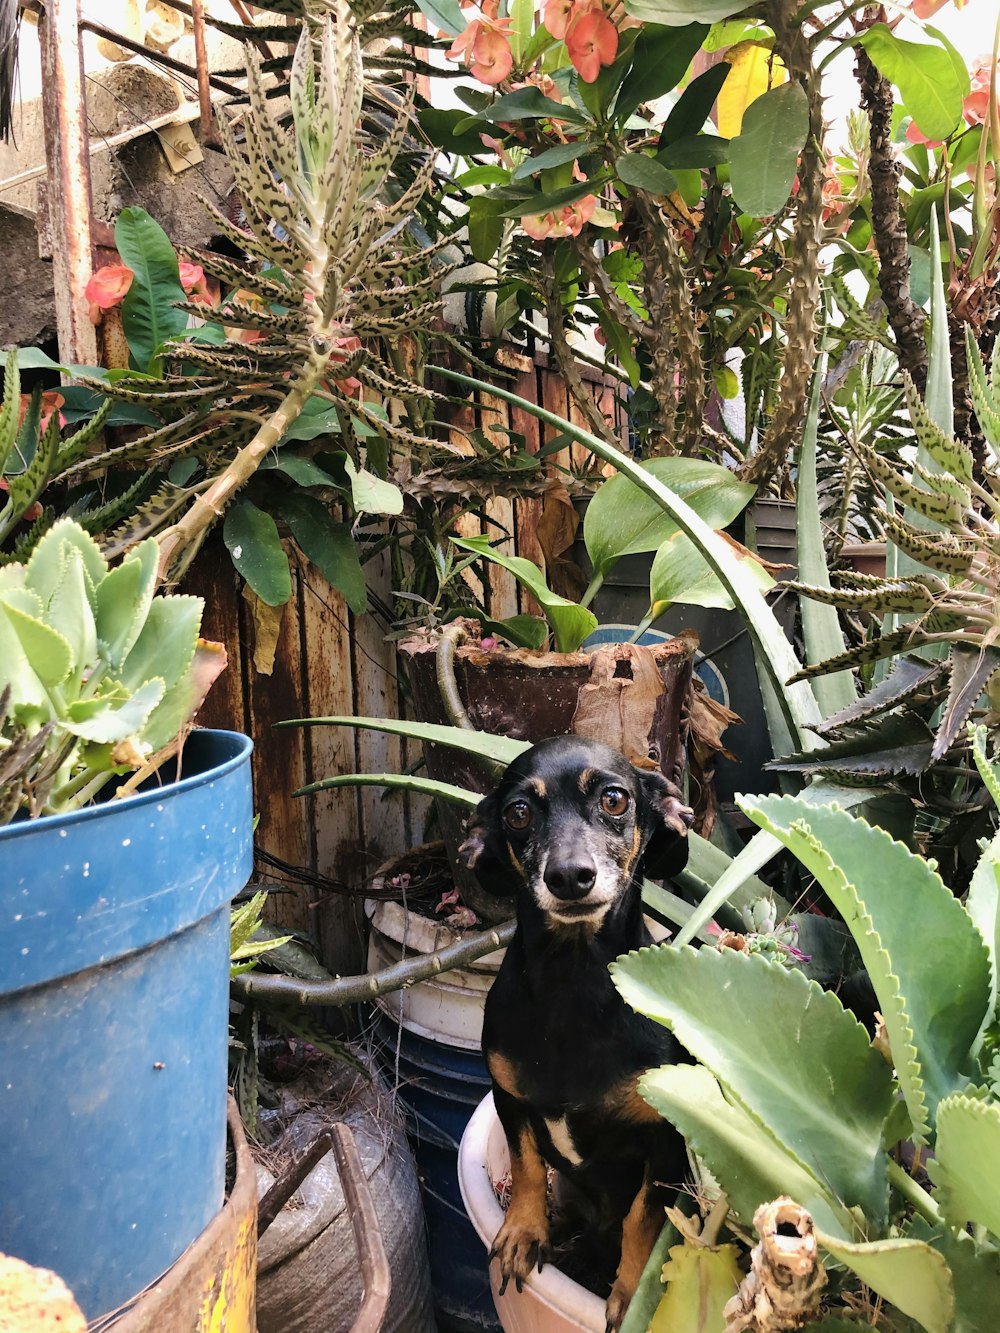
573 830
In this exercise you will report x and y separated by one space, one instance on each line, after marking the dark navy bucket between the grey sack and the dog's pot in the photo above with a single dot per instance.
439 1090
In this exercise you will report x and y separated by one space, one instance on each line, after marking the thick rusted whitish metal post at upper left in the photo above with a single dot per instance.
69 171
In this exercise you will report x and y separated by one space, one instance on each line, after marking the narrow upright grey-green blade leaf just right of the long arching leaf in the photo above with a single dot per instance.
821 623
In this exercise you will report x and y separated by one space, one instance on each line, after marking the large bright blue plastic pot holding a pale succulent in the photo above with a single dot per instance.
114 1023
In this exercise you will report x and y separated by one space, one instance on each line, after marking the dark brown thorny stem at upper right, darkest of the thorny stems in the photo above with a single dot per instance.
885 171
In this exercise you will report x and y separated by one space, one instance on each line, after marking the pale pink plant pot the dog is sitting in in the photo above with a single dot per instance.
550 1302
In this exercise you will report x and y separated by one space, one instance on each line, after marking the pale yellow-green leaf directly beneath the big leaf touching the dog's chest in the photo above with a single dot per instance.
749 1162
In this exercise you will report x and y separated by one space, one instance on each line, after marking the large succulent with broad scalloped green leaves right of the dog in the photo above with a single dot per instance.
810 1108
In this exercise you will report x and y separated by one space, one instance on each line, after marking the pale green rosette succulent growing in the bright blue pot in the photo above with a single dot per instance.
98 676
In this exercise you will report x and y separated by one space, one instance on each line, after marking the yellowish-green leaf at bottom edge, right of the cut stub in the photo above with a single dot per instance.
907 1274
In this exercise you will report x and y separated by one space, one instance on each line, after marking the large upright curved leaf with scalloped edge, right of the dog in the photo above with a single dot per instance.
934 1000
